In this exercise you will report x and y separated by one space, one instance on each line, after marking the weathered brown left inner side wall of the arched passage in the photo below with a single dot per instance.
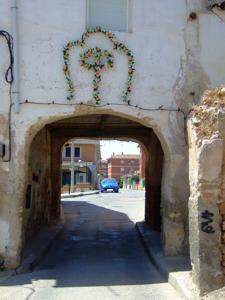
37 204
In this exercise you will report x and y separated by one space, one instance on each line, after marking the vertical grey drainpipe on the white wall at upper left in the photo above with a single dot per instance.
15 85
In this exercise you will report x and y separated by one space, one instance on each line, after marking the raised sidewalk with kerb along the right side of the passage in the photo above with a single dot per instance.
177 269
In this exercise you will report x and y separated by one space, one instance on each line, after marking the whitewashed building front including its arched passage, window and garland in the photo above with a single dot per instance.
150 63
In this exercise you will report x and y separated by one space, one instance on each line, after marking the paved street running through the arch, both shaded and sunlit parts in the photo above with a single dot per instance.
97 256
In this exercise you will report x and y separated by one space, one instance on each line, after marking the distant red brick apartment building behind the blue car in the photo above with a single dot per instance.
123 164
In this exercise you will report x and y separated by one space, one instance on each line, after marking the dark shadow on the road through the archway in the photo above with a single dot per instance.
98 247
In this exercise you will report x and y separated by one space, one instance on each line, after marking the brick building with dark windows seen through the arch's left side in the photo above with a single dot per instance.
80 165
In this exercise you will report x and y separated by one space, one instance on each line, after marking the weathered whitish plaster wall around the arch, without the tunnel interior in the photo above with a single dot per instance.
168 50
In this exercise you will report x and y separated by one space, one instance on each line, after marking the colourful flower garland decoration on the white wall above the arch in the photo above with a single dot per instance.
101 59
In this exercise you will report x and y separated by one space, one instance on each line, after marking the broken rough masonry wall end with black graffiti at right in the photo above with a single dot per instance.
206 205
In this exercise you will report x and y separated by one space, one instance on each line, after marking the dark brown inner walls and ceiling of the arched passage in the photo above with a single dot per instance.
43 193
